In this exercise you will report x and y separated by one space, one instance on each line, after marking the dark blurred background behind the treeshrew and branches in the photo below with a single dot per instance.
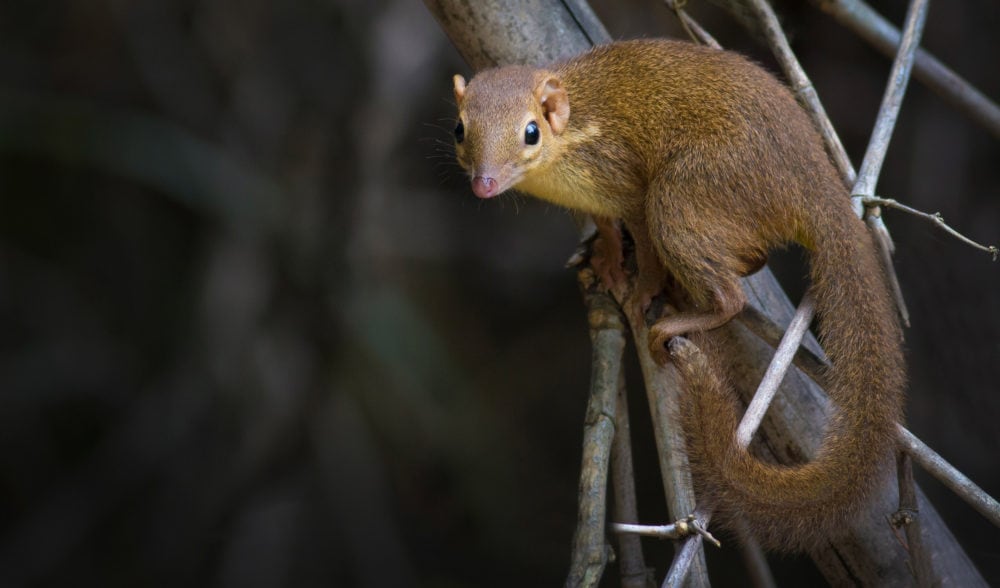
256 331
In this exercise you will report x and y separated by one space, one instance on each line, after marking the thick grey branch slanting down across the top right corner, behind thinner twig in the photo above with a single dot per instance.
875 29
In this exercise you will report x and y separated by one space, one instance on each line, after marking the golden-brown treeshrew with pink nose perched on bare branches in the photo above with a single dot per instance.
710 163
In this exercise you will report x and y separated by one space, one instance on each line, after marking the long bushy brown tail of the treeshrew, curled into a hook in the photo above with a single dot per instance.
796 507
